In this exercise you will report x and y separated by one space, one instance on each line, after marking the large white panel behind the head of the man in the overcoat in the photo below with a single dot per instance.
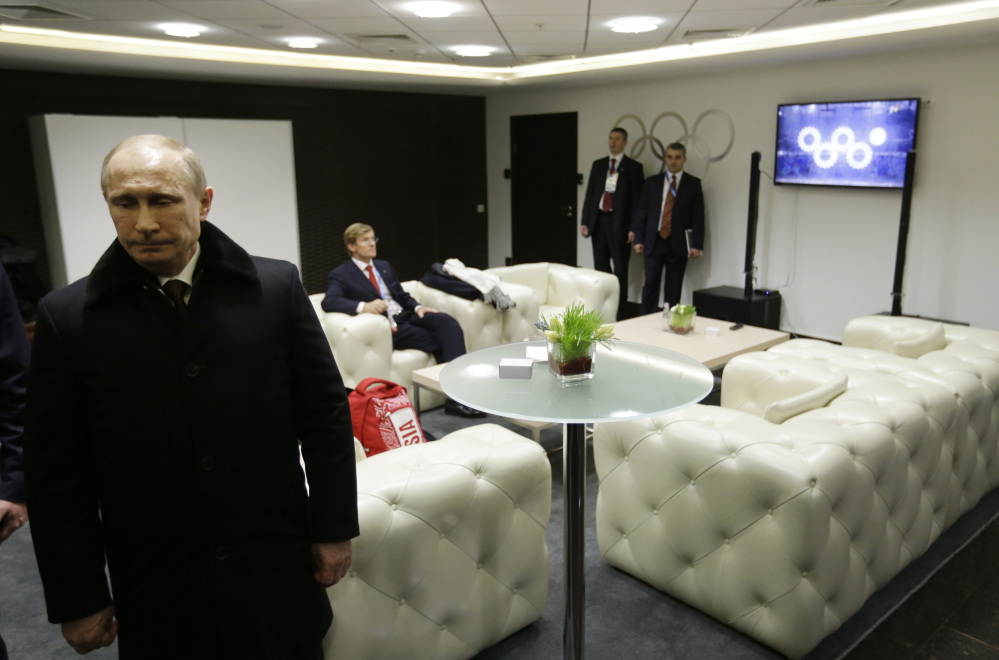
250 164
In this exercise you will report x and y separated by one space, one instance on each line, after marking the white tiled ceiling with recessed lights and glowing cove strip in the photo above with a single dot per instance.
522 32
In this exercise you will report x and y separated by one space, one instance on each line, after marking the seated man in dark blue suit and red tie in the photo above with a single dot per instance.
365 285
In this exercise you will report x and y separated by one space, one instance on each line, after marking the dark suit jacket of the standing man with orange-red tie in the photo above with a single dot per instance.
688 213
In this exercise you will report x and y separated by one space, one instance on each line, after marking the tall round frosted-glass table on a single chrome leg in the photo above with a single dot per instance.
631 381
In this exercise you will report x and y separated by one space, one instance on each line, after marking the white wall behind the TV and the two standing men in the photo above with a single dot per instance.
831 252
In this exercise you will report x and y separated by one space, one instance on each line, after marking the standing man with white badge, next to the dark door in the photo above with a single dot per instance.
612 192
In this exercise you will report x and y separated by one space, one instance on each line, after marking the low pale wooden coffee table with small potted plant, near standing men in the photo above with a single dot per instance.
713 351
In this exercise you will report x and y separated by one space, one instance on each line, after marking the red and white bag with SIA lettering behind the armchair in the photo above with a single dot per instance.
383 416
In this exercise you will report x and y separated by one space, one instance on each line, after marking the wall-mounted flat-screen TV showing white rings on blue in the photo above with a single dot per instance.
857 143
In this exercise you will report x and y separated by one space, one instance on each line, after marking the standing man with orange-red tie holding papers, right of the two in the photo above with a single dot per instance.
669 214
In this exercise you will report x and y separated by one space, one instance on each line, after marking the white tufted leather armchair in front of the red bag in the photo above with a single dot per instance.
451 557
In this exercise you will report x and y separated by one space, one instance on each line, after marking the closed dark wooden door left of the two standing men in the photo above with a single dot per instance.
544 188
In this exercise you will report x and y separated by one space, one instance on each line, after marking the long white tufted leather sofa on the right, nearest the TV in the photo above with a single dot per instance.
826 470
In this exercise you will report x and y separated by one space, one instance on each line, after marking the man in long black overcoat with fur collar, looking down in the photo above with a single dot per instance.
168 395
